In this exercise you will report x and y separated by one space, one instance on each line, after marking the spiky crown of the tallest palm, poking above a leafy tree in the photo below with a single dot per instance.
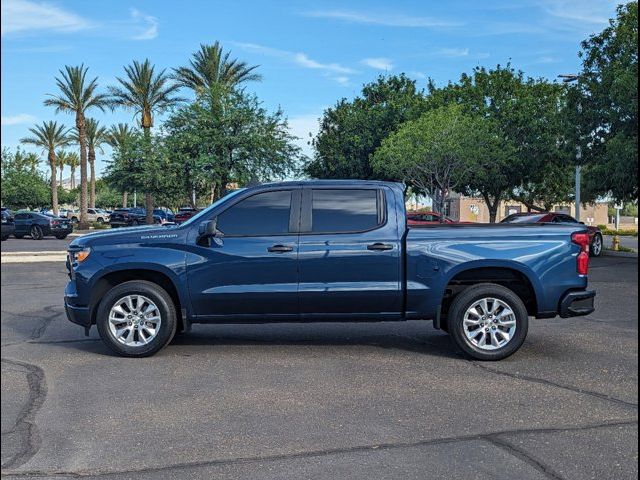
211 68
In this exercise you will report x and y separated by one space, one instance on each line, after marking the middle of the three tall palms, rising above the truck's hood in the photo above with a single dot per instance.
146 93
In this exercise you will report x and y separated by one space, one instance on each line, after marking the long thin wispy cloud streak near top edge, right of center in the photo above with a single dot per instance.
388 20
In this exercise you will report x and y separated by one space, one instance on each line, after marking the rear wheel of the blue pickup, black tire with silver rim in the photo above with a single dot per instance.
507 331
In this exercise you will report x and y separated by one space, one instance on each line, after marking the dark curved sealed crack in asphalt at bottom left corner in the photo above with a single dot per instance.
25 425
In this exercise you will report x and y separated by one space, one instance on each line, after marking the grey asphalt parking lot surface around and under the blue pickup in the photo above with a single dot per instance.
381 400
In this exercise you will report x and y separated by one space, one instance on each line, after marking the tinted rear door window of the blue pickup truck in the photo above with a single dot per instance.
342 210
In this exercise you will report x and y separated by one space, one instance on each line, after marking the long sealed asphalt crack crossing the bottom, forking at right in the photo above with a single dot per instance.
493 438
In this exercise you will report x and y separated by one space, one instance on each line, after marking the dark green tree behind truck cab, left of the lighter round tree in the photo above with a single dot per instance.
351 131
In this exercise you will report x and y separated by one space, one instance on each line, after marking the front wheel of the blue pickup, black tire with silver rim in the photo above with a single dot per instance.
150 294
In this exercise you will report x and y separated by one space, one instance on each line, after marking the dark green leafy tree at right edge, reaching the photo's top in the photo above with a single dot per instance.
605 108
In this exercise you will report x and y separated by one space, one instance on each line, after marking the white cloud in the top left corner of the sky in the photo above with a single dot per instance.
24 16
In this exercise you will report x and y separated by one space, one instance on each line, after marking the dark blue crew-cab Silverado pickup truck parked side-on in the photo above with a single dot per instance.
325 251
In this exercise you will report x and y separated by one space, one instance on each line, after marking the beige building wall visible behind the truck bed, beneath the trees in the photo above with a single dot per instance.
467 209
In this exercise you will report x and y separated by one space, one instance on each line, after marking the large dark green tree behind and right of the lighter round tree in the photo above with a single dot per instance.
528 114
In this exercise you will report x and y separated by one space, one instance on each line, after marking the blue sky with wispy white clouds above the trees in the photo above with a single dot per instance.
310 54
